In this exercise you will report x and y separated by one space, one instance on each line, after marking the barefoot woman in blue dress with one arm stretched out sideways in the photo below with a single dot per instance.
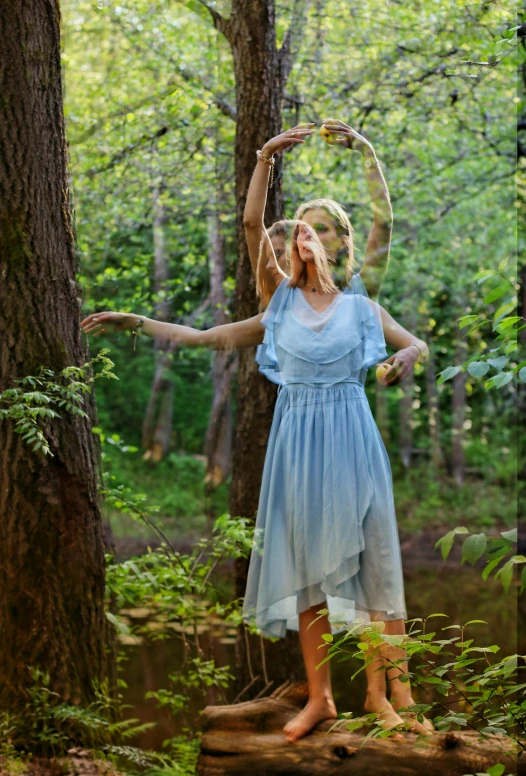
357 518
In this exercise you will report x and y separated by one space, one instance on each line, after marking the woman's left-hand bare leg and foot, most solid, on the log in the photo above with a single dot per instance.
321 703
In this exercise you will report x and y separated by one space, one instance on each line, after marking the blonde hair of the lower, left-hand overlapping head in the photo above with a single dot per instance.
298 268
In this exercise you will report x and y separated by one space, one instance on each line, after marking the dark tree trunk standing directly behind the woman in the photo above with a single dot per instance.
260 71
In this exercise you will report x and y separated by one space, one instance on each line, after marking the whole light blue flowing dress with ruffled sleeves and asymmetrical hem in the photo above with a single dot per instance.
326 525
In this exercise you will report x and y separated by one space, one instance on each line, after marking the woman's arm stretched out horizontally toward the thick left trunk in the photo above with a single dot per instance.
242 334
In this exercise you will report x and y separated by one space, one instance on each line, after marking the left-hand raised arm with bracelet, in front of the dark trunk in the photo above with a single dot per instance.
257 191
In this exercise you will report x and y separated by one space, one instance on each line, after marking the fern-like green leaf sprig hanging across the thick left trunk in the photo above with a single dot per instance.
34 399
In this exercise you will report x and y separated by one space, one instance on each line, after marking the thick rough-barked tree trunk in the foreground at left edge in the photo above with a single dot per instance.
52 559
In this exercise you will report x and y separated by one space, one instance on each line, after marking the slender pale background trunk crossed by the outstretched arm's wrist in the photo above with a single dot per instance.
157 425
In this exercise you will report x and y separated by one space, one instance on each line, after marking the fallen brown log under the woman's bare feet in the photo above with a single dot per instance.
246 739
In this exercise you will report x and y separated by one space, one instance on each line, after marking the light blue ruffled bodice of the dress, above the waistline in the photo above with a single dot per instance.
303 346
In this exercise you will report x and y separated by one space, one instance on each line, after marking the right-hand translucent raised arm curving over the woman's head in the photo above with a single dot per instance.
379 240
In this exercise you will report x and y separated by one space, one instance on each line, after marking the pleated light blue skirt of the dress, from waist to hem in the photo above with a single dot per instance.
326 527
